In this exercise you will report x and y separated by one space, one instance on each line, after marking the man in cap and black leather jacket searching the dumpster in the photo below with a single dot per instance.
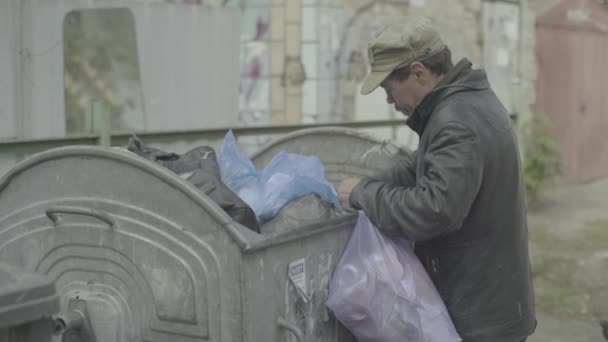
460 196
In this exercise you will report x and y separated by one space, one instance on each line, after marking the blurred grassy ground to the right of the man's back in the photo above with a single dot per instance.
569 254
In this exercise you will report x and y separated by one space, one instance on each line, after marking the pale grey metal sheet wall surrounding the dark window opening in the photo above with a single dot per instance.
188 57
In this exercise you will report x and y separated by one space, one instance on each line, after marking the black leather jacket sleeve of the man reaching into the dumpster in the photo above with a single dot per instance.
440 200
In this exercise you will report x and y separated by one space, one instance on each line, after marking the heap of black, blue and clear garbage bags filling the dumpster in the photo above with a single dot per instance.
247 195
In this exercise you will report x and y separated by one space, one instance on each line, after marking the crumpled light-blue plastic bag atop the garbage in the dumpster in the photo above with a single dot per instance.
287 177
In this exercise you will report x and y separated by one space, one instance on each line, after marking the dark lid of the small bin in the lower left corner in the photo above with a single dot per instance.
25 297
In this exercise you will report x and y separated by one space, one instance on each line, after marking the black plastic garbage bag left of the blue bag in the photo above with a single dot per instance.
199 166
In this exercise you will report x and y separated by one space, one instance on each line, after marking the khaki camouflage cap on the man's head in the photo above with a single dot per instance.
398 45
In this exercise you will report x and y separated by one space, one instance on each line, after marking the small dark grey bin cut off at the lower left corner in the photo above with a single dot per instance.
27 302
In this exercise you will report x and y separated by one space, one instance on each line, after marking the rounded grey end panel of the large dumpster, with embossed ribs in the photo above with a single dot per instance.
151 263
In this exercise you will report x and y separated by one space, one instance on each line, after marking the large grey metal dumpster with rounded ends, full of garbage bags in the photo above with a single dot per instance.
148 257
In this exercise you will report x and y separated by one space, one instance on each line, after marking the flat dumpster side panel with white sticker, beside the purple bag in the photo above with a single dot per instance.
270 295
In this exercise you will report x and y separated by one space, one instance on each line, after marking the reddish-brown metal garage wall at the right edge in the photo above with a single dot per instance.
572 85
